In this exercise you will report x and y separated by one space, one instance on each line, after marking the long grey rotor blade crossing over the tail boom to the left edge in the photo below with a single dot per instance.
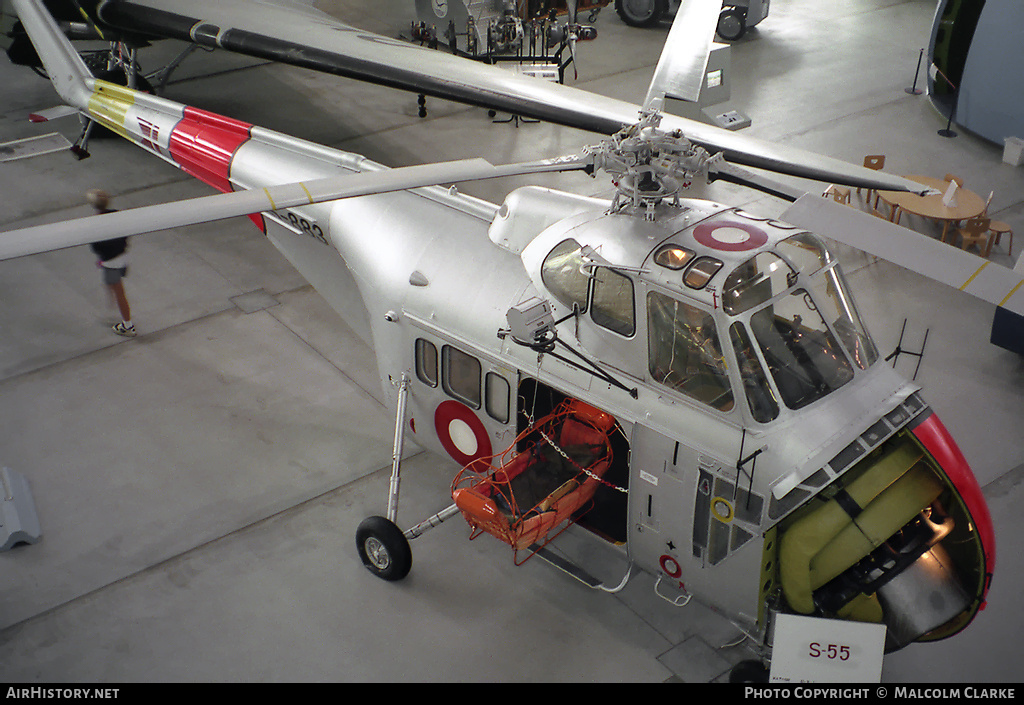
189 213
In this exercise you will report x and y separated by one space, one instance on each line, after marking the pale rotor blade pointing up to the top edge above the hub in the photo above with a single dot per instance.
685 60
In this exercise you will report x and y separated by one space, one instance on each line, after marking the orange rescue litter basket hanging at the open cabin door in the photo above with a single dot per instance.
543 484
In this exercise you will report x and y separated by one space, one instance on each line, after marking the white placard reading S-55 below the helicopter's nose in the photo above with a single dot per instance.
815 650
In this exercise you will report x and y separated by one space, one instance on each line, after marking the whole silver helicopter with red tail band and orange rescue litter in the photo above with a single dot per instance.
742 430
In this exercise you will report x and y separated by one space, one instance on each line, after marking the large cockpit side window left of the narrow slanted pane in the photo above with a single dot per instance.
685 352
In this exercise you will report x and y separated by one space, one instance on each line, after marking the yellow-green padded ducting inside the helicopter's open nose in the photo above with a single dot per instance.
807 538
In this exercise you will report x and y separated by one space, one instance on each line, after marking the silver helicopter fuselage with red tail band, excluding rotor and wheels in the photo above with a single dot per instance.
749 464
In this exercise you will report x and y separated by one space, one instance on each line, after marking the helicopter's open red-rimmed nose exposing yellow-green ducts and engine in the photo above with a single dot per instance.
903 538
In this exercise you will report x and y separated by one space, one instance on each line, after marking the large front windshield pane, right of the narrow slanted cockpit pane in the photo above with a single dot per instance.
803 357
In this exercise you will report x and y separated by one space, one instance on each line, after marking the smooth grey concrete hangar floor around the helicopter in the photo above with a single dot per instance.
199 487
